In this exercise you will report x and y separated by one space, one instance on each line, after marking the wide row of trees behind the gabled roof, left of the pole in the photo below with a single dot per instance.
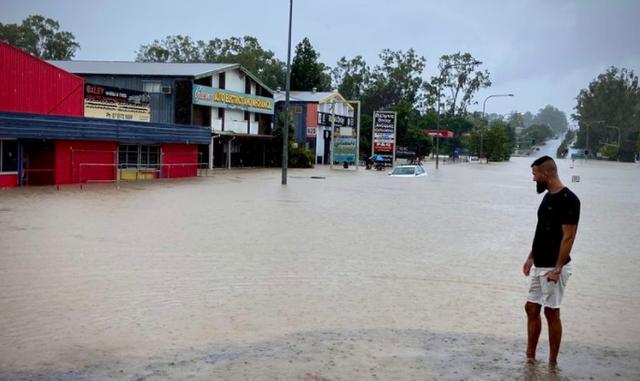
245 51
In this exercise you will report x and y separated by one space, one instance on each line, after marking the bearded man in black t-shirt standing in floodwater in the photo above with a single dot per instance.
549 263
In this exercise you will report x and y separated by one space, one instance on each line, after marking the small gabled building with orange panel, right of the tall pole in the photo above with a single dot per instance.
312 112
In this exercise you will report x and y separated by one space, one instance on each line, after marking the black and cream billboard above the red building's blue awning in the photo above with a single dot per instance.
108 102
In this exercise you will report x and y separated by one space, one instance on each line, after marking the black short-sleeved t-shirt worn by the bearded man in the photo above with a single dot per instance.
561 208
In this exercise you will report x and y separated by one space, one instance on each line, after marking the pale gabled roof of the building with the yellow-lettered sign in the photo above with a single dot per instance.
166 69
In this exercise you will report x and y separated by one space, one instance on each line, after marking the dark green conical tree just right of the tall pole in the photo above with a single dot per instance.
306 72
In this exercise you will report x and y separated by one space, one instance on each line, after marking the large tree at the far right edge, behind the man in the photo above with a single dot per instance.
614 98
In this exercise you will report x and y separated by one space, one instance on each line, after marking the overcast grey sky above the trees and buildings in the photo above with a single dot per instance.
543 51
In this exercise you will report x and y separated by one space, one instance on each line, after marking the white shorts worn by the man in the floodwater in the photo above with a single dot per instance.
545 293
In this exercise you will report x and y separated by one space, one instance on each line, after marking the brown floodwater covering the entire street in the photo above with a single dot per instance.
354 275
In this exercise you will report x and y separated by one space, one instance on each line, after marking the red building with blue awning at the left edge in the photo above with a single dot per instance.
45 140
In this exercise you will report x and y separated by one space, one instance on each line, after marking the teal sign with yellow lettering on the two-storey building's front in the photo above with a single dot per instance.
213 97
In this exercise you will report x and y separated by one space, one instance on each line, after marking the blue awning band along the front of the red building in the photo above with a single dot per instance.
53 127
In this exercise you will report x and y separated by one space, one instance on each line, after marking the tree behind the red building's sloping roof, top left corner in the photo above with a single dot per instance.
41 37
